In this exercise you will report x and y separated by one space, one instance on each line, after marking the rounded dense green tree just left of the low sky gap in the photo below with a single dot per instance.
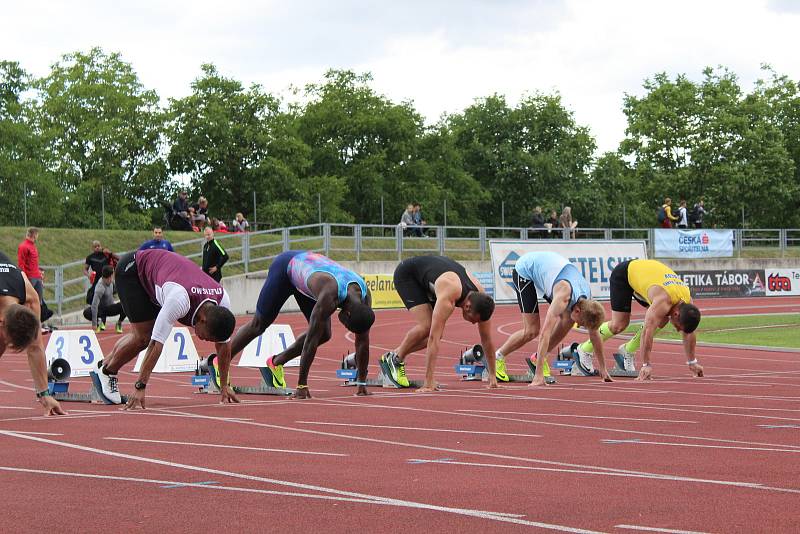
534 154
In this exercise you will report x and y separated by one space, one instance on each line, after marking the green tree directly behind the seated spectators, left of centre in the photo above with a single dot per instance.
234 142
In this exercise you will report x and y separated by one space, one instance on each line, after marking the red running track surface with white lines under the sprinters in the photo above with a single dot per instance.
718 454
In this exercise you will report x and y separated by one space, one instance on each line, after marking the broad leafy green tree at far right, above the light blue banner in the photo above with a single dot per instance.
710 140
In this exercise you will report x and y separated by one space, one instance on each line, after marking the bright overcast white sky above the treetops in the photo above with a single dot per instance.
439 54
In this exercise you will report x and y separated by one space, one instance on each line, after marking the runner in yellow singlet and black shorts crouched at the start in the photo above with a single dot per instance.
667 299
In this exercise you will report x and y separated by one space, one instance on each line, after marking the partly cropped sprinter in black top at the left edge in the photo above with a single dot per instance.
20 328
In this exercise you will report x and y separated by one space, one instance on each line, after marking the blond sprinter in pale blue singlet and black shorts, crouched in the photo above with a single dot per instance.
570 298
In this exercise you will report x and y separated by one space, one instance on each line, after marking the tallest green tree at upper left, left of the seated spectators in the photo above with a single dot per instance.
103 133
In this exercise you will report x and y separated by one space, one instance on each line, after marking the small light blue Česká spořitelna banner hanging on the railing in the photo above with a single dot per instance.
673 243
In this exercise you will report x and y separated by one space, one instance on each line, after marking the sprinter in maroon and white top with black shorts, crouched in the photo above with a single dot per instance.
158 288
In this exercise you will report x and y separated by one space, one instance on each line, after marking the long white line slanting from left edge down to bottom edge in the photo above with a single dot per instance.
376 499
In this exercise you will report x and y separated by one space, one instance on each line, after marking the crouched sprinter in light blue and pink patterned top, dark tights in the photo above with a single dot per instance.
320 286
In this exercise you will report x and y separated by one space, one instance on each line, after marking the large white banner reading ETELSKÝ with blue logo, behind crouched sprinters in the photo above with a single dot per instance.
594 259
